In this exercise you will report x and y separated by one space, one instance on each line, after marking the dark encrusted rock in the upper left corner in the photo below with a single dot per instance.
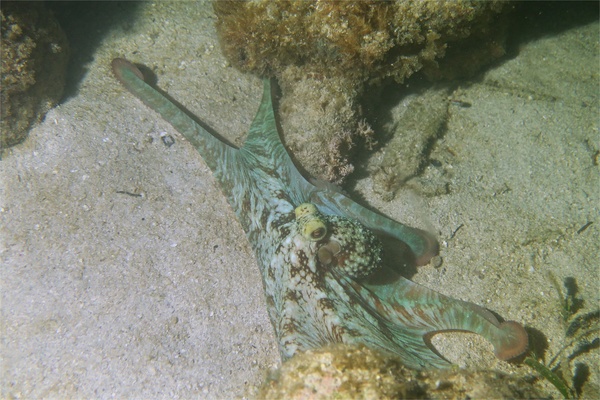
34 61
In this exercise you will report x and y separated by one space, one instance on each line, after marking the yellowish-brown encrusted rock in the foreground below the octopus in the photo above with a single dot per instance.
357 372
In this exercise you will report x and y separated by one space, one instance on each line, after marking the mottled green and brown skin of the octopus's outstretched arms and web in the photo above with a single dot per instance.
311 304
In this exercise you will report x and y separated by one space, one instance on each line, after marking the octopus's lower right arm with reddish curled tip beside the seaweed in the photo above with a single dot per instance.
412 313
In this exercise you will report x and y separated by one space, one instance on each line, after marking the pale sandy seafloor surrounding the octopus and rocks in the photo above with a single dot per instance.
158 294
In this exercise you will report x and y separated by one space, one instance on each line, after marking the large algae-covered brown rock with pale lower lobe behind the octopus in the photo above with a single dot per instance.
325 54
